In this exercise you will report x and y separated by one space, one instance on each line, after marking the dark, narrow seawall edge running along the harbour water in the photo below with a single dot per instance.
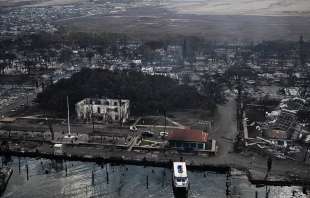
115 160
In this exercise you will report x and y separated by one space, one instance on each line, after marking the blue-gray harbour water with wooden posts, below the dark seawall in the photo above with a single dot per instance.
124 181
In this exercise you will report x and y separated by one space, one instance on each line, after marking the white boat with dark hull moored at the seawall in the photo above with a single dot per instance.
180 182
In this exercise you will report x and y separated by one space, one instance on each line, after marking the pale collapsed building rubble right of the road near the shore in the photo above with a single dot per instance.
282 134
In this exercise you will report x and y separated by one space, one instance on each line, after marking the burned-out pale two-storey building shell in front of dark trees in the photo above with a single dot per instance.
105 110
